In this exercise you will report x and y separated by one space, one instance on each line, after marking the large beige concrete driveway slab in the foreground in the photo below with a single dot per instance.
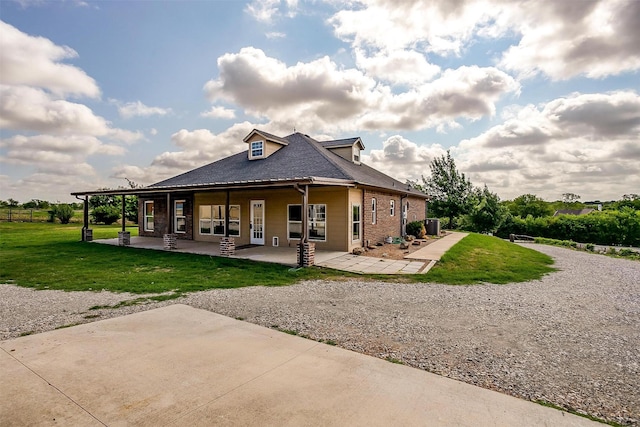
178 365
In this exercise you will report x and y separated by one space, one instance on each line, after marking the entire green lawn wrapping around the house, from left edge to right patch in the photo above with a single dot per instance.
50 256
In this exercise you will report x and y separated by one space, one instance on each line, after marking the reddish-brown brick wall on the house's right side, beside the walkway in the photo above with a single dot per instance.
387 225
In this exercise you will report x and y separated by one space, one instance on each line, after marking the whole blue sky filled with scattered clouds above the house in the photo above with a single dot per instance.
539 97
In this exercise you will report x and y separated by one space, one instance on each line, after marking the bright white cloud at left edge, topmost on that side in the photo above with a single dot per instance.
35 61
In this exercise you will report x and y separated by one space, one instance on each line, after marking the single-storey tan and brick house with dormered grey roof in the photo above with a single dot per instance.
281 191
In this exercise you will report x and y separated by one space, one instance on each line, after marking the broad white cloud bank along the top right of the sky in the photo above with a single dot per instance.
561 39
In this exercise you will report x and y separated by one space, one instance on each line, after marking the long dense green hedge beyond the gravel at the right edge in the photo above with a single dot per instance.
604 228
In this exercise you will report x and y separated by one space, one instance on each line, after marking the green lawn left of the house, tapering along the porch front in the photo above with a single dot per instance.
50 256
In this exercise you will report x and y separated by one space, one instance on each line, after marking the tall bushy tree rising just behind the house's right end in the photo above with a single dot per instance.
449 189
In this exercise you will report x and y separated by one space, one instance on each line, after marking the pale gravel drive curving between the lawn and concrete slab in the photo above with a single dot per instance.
572 338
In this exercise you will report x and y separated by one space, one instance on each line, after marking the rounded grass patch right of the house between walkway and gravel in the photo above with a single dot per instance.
485 259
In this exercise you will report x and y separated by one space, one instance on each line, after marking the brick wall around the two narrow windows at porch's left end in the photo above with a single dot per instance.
160 216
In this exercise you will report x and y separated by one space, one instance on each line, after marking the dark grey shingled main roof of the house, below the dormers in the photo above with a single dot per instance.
302 158
